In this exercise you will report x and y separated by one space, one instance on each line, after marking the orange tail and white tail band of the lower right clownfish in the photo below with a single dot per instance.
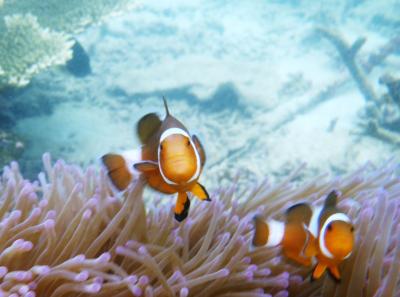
269 233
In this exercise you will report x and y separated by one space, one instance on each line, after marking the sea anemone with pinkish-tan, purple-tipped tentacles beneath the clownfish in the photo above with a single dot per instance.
69 234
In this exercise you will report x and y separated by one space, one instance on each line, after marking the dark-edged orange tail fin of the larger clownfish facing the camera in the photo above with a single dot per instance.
117 170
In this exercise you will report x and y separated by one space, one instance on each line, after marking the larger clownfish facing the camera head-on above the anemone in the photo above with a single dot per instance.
170 159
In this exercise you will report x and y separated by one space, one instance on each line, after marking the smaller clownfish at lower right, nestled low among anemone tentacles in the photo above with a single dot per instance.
322 233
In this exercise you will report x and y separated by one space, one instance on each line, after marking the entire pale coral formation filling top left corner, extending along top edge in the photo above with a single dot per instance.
35 34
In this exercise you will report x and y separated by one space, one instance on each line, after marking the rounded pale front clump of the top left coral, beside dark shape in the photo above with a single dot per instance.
26 48
